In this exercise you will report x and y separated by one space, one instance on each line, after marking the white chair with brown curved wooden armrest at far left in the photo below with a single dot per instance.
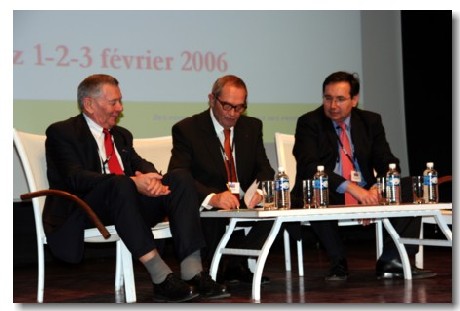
31 151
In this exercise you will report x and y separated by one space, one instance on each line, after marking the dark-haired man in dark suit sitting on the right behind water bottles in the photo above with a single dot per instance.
318 142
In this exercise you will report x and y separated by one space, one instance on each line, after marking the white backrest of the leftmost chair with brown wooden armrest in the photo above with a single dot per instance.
31 152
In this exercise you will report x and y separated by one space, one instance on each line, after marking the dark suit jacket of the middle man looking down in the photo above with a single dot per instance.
197 148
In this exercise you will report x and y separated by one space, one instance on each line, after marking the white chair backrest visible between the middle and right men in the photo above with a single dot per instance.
284 143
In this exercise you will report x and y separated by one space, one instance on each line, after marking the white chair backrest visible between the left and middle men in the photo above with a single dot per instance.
156 150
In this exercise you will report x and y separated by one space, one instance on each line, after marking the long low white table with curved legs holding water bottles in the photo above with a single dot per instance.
377 212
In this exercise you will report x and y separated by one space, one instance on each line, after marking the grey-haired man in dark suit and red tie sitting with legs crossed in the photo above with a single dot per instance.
133 197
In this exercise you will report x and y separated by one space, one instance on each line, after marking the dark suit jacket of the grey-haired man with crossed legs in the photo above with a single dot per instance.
74 165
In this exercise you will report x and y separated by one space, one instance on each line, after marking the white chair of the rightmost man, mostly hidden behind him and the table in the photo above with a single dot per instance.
284 144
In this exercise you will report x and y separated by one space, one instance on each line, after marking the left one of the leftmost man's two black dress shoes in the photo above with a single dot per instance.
173 289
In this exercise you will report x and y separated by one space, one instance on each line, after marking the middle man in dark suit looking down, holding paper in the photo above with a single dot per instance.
199 147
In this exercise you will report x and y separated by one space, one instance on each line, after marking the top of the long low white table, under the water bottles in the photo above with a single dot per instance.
332 209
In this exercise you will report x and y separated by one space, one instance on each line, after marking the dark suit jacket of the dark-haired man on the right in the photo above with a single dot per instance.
316 143
